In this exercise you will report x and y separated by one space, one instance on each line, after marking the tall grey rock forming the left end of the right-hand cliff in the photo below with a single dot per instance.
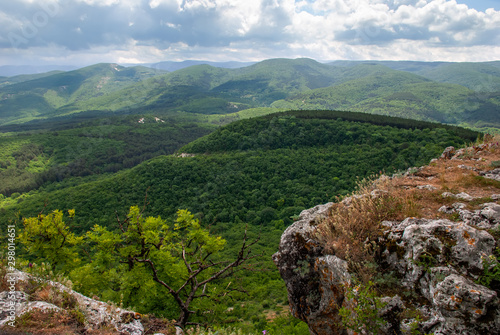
315 282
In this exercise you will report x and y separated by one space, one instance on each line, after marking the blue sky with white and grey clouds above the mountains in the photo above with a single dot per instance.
84 32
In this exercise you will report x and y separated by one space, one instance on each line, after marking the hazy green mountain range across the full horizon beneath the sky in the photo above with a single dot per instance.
456 93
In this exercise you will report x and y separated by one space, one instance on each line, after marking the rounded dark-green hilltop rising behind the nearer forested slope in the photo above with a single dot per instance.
257 134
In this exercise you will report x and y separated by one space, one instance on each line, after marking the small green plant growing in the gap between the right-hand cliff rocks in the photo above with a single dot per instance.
361 313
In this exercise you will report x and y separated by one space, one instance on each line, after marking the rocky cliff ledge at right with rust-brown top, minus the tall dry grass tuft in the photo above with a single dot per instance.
446 271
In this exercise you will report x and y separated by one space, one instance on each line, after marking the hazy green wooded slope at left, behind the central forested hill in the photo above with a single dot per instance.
96 147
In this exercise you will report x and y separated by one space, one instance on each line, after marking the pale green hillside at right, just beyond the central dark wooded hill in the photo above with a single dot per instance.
396 93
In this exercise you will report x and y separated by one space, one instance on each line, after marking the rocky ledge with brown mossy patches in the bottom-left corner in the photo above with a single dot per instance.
90 314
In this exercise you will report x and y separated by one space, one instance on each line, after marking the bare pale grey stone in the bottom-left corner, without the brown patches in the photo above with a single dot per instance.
97 314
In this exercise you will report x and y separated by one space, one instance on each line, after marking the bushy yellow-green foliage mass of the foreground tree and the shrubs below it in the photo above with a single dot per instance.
147 258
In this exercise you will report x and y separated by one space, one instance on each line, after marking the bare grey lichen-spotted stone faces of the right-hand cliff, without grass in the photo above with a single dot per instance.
435 259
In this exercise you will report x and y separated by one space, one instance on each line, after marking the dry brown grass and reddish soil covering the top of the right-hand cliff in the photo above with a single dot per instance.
355 223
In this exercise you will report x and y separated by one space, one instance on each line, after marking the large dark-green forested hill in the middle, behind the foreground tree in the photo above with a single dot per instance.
285 162
